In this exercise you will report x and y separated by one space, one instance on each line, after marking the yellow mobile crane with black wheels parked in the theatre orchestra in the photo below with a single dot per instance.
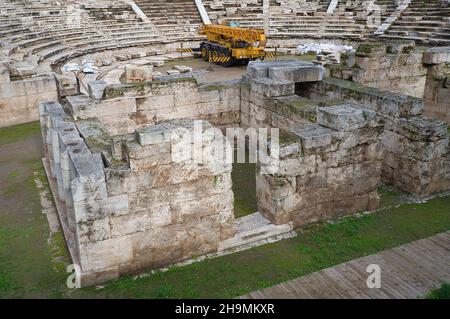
227 45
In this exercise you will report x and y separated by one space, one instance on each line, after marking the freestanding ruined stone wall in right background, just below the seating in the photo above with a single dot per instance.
394 66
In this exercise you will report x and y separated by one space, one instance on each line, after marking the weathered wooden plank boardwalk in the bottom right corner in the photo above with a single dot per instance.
407 271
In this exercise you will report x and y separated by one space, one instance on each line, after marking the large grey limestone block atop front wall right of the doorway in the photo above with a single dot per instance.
345 117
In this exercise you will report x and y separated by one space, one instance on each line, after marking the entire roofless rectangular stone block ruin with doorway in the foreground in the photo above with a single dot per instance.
130 200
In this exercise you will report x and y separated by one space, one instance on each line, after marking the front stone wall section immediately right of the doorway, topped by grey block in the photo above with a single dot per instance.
326 170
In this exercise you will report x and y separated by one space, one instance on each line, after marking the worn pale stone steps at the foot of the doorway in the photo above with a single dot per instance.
252 229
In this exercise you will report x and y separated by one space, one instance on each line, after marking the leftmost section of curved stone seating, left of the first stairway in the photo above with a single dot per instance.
49 32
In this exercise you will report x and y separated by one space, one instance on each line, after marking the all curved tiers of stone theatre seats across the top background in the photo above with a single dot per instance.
49 31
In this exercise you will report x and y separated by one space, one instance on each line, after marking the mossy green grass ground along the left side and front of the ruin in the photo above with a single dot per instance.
32 262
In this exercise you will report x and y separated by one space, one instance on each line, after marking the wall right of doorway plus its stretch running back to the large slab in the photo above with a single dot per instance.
325 170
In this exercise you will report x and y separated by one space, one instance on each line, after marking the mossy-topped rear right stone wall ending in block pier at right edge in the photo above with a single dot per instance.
416 149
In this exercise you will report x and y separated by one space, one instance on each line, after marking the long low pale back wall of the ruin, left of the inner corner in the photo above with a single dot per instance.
123 108
